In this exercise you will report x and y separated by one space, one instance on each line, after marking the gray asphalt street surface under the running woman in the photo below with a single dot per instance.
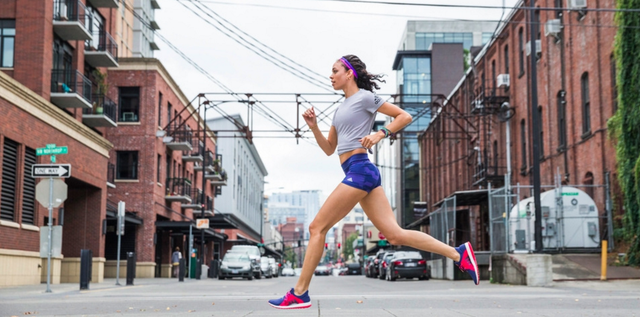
331 296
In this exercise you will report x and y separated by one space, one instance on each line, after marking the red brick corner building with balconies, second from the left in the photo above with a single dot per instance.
158 156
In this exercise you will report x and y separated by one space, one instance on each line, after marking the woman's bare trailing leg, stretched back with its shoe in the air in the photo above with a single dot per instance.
377 208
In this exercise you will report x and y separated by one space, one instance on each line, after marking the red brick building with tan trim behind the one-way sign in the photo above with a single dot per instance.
53 55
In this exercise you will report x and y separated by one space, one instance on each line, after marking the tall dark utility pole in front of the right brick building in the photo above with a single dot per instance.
535 118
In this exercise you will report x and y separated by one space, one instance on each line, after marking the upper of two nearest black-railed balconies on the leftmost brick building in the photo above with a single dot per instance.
69 20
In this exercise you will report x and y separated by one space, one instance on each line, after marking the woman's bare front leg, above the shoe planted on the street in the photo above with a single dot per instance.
338 205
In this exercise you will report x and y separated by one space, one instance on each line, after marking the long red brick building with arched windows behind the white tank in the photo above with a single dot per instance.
465 146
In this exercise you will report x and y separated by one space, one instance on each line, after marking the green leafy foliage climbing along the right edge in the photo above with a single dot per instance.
624 126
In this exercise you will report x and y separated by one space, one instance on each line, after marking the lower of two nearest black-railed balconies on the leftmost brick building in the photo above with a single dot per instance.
70 89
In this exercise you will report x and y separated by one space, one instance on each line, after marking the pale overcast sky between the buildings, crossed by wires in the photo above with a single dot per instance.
313 33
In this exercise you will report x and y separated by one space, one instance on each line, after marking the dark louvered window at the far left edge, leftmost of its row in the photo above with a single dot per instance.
9 179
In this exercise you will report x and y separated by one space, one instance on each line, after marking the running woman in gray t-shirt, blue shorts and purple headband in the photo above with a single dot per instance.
350 134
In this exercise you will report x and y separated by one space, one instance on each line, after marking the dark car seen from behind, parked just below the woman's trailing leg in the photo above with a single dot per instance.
407 264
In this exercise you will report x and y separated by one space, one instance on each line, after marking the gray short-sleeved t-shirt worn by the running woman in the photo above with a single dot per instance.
354 119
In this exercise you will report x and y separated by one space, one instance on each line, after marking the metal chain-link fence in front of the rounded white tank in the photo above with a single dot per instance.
573 217
